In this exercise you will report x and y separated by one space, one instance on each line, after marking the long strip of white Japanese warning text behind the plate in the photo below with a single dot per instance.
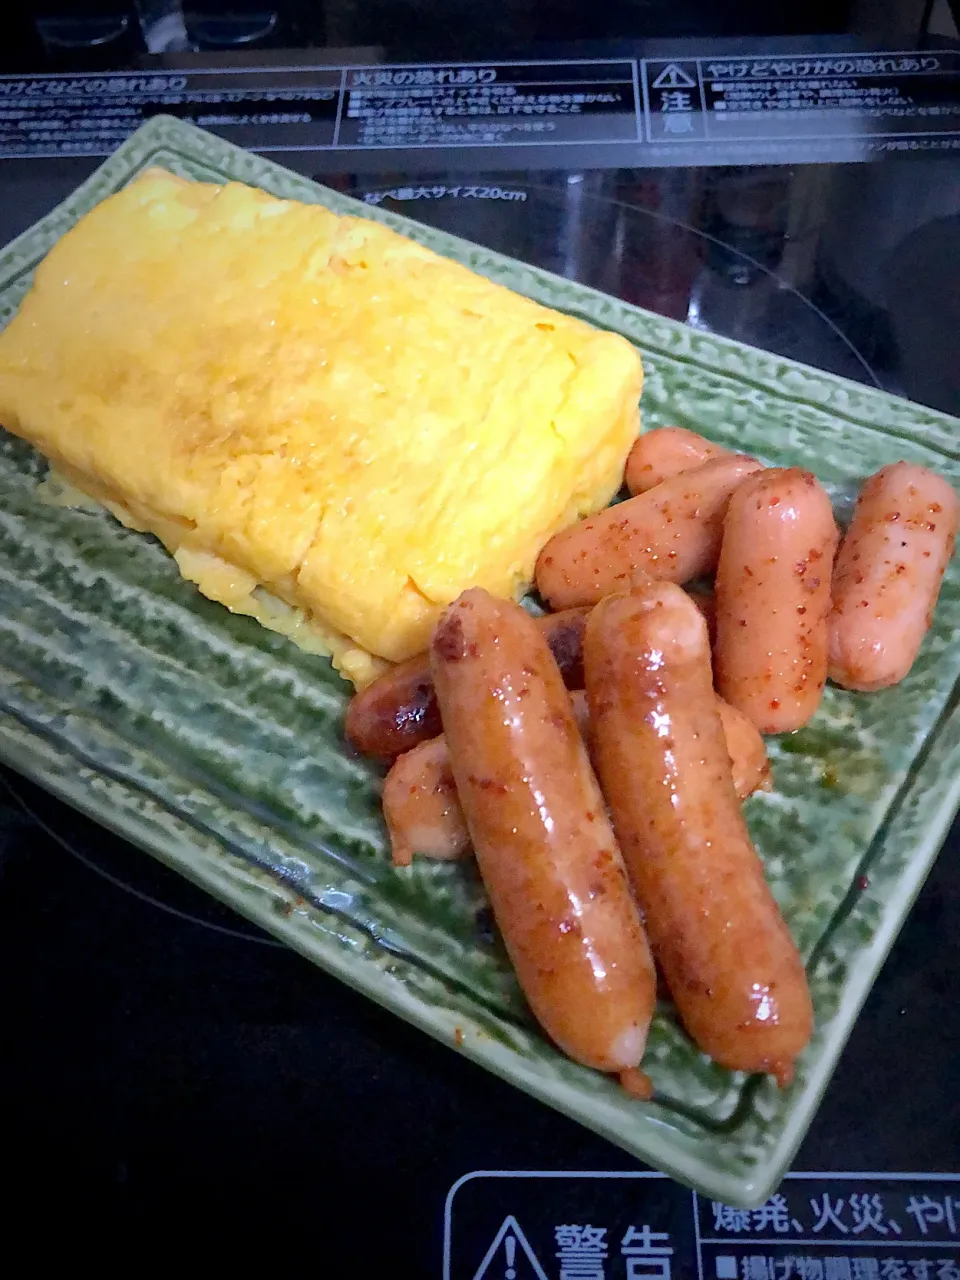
628 112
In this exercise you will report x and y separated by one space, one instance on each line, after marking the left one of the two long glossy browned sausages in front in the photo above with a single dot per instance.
543 842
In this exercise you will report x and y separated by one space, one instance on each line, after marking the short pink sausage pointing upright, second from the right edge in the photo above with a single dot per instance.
774 598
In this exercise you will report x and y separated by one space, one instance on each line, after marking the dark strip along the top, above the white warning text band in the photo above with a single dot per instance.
104 34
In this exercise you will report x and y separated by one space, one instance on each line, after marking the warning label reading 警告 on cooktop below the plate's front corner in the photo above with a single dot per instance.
644 1227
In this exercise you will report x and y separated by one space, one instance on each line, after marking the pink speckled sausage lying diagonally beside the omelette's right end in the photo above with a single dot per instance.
673 533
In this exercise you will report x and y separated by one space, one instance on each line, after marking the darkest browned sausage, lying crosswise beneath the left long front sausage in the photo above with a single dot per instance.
399 710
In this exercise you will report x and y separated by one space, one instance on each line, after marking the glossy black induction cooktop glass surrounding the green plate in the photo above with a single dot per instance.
170 1067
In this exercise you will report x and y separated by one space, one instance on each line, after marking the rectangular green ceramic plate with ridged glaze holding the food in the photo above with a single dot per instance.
218 747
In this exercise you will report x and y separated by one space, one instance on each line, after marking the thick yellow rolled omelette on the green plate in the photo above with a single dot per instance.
331 427
